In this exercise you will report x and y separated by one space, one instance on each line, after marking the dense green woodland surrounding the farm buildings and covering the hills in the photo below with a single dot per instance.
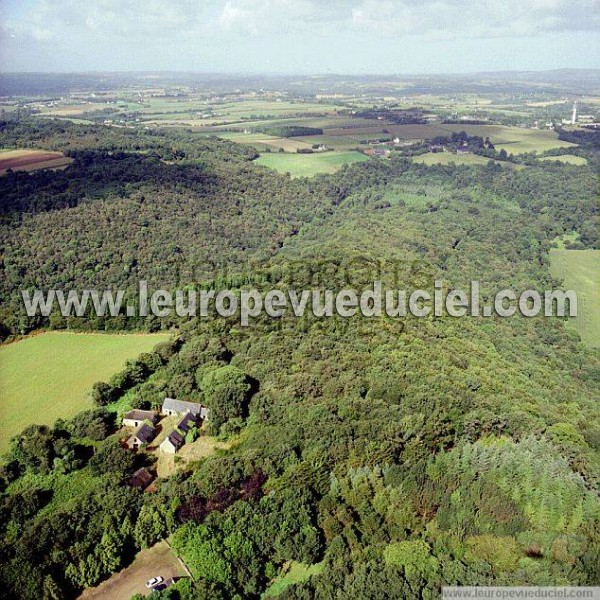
401 454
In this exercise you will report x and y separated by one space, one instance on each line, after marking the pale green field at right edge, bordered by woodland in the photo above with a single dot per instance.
579 269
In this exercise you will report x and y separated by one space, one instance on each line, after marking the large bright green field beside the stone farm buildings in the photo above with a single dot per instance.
48 376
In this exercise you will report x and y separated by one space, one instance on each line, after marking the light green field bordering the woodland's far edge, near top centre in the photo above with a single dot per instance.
308 165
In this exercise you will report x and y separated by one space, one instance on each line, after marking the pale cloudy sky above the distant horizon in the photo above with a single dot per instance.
299 36
